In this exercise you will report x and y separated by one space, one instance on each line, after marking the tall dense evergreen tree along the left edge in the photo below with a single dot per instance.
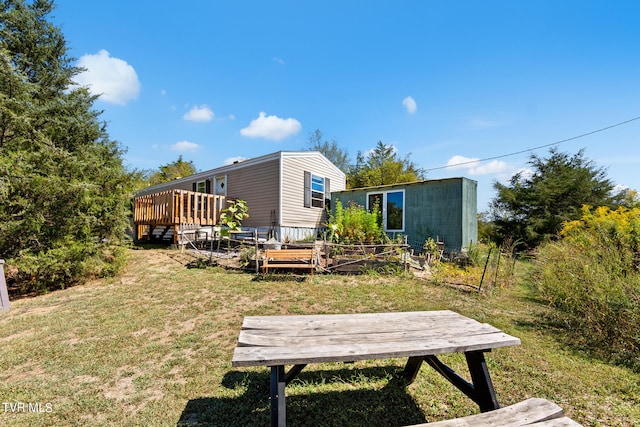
65 193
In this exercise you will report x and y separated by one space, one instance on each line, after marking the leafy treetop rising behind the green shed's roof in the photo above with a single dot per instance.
383 166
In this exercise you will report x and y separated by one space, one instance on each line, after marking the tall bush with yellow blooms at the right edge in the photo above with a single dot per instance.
593 276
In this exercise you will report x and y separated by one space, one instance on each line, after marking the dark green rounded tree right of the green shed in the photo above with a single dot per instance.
533 207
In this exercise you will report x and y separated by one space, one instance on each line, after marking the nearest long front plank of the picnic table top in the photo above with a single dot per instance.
270 356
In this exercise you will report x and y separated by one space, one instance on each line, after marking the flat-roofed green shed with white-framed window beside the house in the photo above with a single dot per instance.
443 209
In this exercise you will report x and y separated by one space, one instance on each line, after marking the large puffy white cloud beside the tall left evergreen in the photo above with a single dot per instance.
111 78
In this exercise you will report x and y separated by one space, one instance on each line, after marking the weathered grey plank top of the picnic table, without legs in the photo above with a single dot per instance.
303 339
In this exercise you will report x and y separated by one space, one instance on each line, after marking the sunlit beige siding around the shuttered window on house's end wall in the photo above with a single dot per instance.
294 214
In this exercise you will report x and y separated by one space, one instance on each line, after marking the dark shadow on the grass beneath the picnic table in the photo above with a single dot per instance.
359 405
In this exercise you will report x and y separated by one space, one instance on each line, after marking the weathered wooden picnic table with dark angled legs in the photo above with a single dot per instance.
276 341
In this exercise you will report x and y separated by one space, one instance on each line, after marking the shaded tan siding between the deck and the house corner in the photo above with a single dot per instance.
258 186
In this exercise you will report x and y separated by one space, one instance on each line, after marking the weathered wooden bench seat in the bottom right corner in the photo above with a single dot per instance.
534 412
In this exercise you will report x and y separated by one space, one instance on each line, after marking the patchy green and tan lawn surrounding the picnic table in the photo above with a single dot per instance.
154 347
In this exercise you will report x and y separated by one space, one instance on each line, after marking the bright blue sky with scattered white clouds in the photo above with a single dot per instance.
445 82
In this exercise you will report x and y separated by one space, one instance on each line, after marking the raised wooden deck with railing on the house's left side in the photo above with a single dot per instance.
175 208
